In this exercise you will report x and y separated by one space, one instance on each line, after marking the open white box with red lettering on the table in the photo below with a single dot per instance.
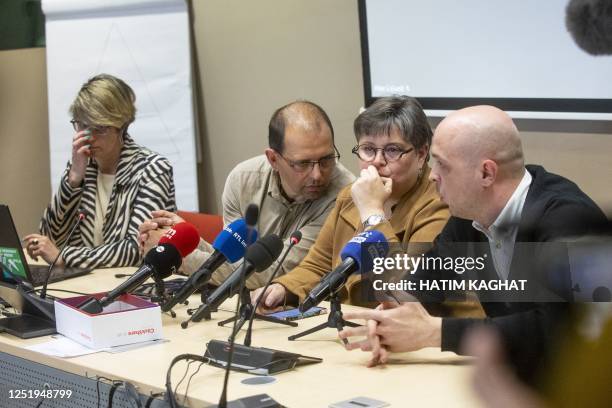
127 320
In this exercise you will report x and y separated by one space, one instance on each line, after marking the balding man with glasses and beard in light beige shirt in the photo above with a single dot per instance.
295 184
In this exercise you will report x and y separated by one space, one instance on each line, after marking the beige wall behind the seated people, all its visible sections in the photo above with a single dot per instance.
252 58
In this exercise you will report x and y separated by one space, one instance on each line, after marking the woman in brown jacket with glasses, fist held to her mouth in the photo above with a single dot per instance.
393 139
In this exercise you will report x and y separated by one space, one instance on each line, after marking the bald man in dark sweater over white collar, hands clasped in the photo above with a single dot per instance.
479 171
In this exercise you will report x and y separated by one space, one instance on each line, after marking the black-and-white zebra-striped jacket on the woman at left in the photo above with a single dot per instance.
143 183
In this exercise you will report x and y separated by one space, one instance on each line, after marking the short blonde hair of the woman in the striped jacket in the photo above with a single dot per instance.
104 100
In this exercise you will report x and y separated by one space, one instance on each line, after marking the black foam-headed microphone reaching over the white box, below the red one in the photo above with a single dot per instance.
161 261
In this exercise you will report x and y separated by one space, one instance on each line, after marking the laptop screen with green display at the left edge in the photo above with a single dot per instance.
12 259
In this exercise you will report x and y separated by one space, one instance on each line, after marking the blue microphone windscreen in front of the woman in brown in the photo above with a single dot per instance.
364 248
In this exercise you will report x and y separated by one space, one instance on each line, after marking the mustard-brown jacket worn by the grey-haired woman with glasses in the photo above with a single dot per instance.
418 217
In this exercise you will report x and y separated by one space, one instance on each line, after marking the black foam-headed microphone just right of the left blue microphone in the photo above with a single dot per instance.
258 257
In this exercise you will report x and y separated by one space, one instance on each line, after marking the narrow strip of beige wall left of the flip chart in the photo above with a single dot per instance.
24 142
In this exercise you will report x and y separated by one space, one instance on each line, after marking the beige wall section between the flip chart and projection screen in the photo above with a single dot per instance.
257 56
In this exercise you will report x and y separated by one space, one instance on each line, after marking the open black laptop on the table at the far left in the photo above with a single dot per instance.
13 265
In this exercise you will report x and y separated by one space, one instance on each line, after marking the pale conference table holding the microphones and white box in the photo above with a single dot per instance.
425 378
